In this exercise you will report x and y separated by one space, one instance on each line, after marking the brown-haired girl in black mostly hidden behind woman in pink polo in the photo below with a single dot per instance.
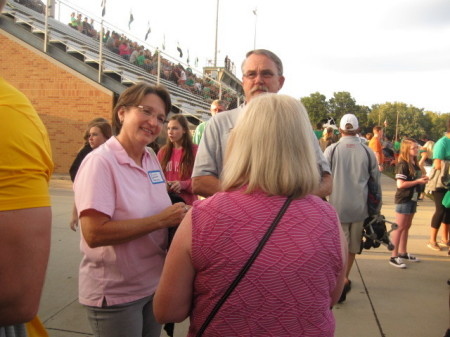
98 131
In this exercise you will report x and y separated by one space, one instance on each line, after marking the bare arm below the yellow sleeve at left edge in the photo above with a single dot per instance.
24 252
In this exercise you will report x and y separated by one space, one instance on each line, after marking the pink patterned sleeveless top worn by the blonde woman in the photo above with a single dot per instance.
287 291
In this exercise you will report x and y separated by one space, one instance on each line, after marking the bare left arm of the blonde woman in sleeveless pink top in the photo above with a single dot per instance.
173 298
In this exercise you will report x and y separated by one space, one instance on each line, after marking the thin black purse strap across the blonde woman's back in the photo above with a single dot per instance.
245 268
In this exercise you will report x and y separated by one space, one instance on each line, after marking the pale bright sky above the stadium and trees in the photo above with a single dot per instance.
378 51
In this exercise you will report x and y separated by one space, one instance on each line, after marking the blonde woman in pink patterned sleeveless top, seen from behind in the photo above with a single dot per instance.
216 239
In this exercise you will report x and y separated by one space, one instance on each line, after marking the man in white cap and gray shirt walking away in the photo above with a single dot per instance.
349 161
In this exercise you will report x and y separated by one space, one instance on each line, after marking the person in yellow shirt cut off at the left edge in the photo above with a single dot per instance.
25 213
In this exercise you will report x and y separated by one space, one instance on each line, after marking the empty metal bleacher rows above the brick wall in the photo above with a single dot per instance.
86 50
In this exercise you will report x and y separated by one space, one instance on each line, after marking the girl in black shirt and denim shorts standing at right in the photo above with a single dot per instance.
407 173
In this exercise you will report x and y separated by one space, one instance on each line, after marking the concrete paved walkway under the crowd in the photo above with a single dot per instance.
384 301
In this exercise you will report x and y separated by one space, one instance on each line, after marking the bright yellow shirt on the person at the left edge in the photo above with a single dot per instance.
25 153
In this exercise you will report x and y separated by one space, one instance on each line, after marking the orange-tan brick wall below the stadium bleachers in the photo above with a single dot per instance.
65 100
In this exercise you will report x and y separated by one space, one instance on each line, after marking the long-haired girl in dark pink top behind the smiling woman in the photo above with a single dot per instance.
177 158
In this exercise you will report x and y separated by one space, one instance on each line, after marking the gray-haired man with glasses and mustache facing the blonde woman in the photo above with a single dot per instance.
262 72
